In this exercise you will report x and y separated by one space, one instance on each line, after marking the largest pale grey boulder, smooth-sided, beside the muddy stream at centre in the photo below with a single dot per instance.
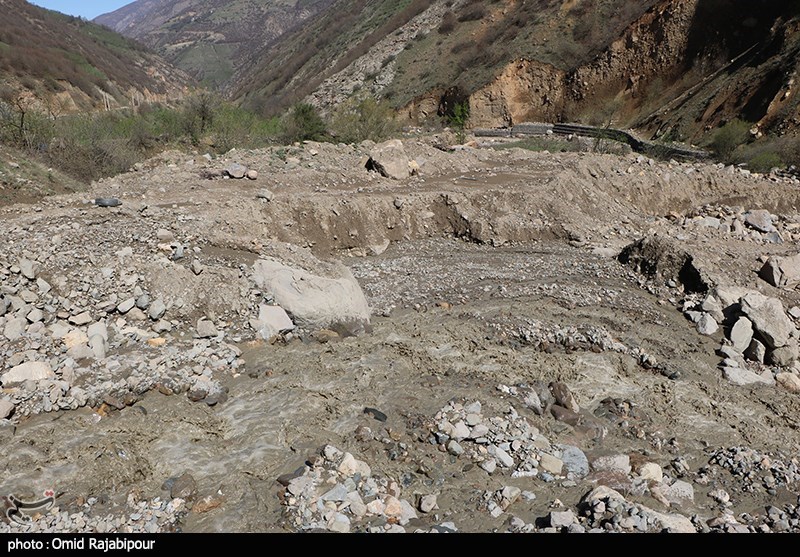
317 295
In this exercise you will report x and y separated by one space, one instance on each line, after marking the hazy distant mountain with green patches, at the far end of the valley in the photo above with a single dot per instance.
209 38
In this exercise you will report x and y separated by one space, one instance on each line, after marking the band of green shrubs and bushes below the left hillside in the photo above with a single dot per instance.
94 145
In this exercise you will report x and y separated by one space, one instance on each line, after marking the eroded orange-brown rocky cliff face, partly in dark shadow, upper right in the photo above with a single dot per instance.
677 50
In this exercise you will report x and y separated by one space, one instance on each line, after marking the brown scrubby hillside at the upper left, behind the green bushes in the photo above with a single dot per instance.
78 64
